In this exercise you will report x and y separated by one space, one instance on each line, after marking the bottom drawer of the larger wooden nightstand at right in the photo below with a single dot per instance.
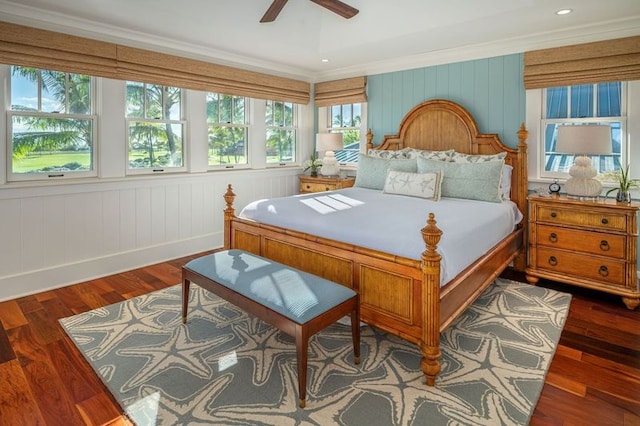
601 269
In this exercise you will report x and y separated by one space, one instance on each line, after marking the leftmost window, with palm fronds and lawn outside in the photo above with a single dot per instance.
52 125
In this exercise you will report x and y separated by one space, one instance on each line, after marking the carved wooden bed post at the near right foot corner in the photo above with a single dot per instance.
430 346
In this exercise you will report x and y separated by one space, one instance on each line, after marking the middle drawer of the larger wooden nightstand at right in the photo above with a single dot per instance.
610 245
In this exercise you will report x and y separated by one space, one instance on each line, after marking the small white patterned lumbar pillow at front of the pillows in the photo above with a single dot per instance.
423 185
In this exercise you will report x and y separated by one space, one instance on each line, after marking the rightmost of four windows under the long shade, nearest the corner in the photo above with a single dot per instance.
281 122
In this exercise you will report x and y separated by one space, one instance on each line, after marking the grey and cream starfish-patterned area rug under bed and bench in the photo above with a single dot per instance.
227 367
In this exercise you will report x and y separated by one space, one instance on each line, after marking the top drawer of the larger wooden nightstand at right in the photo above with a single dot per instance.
562 216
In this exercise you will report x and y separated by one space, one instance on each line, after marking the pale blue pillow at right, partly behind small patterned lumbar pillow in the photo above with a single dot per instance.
472 181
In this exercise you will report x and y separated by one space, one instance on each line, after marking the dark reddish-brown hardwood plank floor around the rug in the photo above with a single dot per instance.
594 378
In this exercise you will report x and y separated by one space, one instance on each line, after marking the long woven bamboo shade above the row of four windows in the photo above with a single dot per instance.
26 46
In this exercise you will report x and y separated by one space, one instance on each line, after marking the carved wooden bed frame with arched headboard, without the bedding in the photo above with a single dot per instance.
400 295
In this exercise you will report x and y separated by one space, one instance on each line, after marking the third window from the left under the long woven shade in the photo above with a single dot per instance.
227 128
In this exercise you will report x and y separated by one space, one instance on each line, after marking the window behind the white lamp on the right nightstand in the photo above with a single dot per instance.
602 103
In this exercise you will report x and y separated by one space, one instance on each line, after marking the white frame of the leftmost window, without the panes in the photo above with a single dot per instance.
54 175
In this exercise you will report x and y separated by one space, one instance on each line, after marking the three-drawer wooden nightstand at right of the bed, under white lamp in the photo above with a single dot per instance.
590 244
